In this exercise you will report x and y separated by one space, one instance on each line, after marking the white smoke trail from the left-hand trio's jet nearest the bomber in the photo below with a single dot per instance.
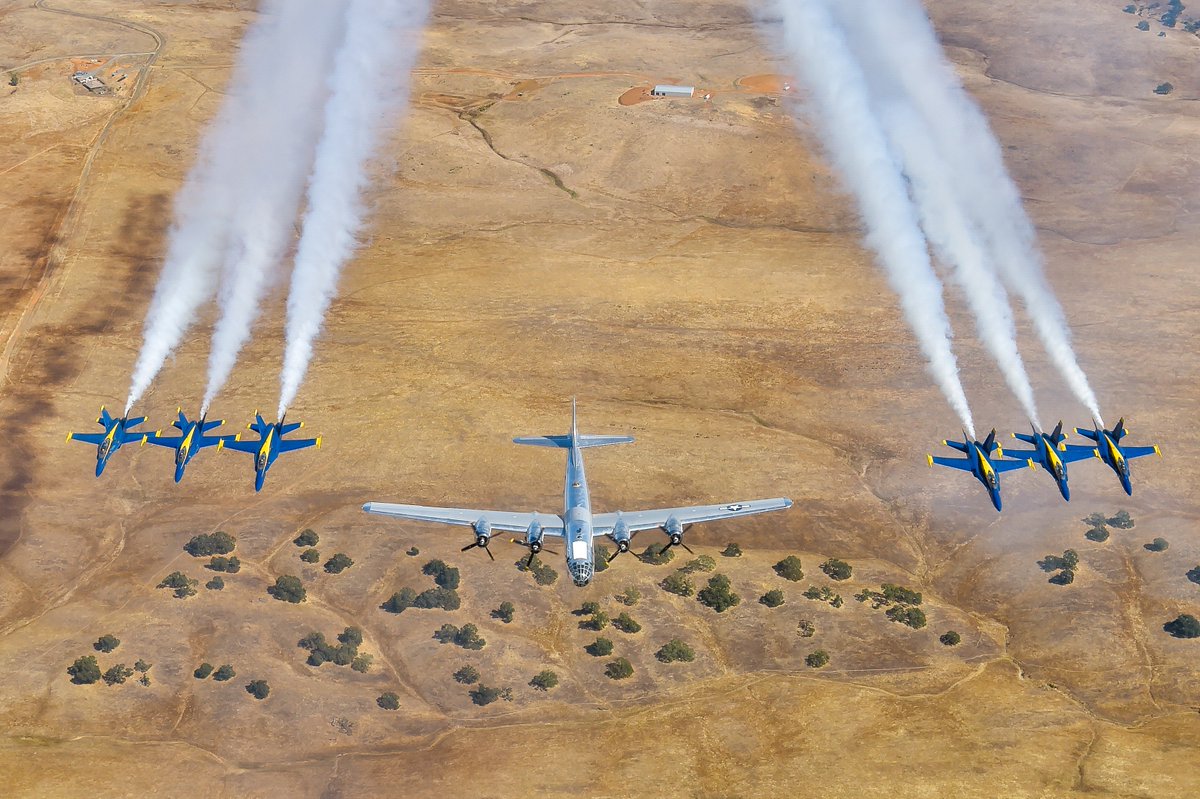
371 77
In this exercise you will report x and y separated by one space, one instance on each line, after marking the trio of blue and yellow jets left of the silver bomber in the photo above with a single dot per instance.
193 437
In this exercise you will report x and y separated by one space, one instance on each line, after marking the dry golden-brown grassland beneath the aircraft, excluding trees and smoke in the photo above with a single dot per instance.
694 275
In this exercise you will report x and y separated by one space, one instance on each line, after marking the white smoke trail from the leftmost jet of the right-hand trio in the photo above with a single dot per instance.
860 151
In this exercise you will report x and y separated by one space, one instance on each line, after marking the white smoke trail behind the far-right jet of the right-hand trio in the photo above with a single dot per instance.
899 40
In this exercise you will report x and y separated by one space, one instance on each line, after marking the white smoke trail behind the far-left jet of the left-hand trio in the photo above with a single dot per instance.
205 206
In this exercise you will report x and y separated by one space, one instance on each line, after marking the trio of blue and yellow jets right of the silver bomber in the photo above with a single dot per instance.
1051 452
